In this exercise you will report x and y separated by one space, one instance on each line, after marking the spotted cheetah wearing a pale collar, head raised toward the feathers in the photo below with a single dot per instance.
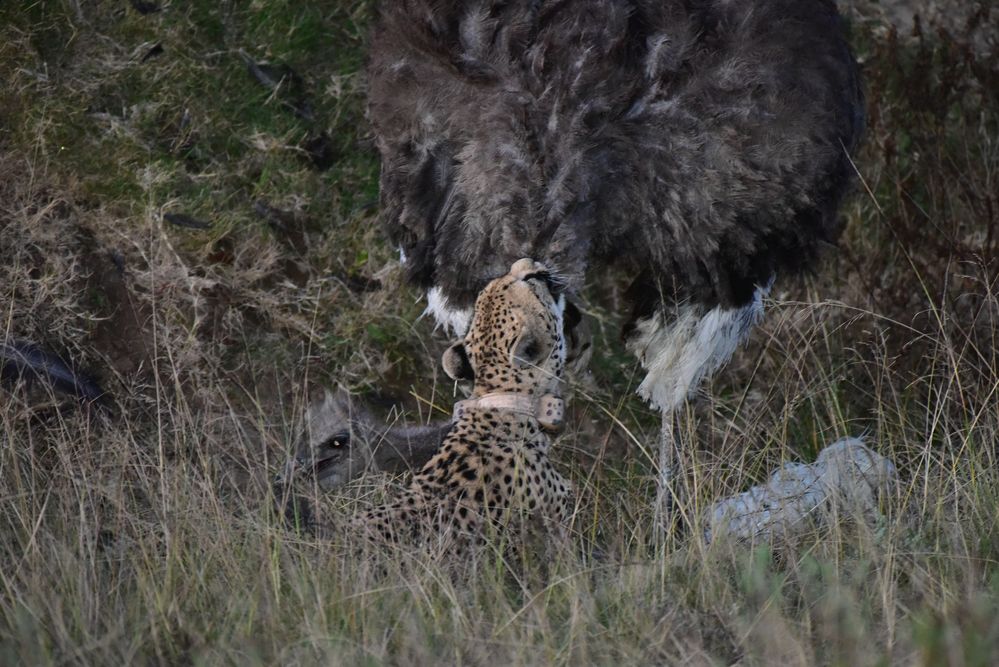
494 464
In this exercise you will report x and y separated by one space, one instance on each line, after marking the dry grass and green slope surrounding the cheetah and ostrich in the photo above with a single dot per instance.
148 537
